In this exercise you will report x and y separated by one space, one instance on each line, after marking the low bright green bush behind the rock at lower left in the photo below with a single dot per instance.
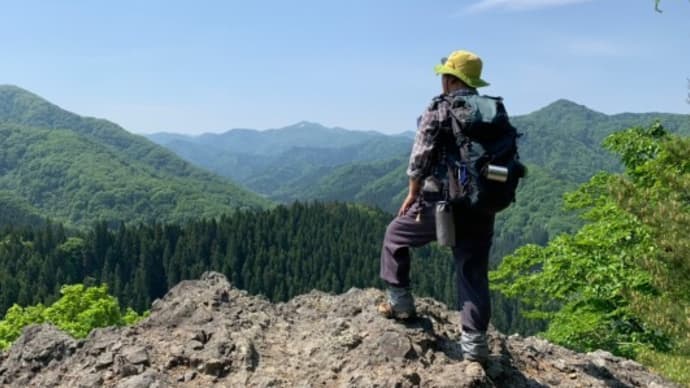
78 311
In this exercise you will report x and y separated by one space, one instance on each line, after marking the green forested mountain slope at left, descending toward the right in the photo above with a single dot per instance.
75 169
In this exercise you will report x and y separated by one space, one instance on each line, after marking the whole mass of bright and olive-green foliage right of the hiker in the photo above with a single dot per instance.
622 282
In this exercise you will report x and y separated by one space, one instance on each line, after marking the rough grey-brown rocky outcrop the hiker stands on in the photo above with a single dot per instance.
207 333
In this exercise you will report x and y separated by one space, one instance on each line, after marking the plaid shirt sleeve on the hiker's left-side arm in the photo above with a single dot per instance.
424 145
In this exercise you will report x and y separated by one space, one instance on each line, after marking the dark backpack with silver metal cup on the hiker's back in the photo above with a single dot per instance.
481 155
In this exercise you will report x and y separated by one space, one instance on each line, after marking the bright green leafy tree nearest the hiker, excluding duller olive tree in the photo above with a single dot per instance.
579 283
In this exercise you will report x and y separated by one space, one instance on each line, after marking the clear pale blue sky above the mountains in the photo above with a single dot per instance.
209 66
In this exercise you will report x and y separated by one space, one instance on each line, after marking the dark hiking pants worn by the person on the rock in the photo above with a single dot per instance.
474 232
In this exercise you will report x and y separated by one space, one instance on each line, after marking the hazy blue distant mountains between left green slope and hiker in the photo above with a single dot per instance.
277 162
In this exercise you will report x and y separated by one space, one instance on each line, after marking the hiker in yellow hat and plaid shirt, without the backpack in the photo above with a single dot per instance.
415 226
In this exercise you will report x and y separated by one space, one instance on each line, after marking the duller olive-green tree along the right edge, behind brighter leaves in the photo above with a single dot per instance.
657 194
